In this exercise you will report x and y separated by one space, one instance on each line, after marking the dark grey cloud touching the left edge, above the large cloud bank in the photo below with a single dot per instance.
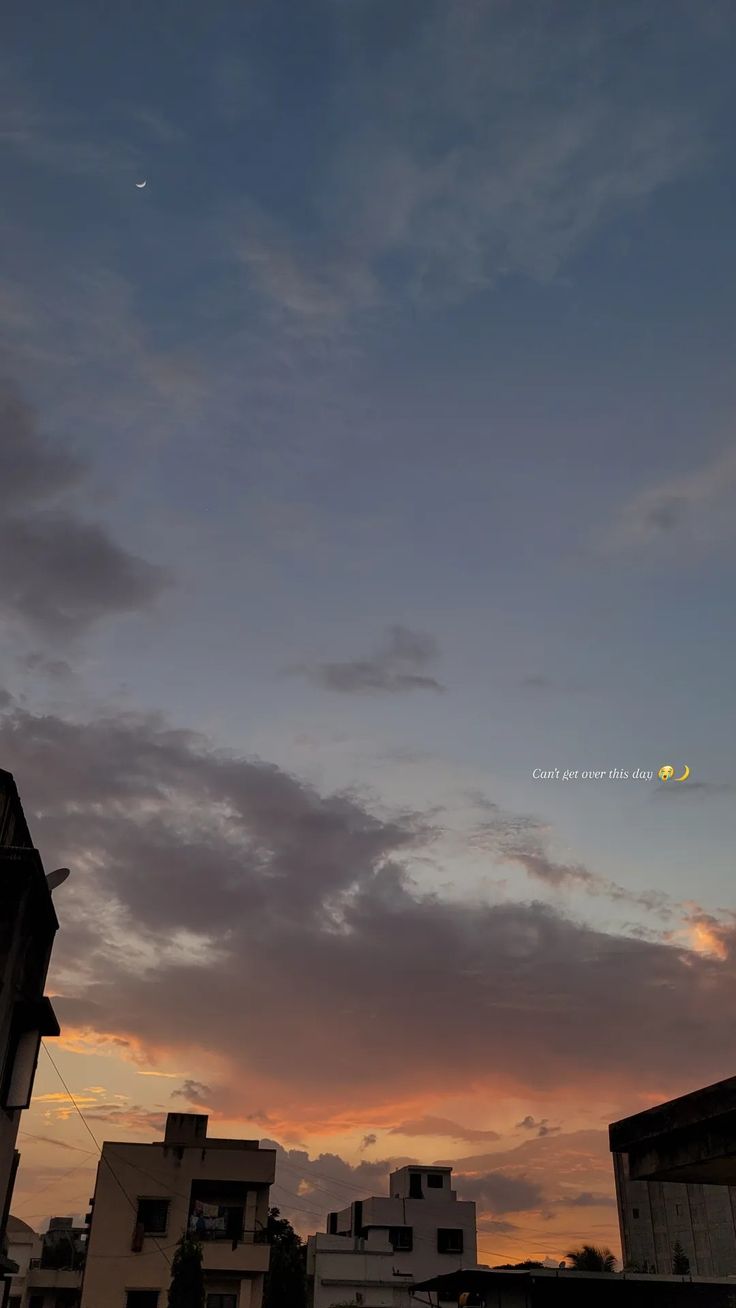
61 575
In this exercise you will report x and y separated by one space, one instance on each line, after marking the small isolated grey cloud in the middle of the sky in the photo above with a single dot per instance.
394 669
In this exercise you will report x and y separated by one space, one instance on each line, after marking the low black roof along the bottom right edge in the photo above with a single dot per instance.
547 1288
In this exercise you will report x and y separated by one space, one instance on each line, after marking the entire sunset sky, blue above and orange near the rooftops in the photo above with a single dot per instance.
375 457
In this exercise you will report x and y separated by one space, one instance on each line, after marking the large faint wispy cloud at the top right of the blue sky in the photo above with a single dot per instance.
460 162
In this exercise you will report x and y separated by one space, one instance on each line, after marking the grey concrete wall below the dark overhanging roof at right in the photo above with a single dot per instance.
656 1216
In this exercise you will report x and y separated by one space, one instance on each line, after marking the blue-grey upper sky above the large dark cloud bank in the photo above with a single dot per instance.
388 435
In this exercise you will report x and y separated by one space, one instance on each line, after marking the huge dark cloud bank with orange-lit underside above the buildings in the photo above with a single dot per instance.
203 881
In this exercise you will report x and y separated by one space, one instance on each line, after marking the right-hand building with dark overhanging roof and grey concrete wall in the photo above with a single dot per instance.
675 1170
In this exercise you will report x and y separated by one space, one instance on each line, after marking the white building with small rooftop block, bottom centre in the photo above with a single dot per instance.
377 1250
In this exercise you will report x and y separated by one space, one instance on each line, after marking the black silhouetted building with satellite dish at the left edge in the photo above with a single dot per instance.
28 927
